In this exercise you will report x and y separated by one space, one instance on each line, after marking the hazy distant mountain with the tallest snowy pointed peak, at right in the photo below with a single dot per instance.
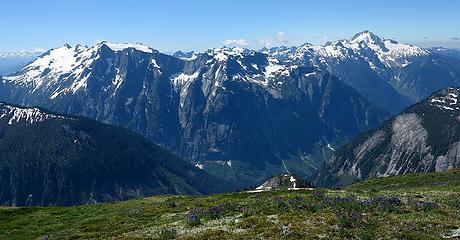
389 74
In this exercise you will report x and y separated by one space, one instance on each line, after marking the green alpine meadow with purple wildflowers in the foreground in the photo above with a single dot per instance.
418 206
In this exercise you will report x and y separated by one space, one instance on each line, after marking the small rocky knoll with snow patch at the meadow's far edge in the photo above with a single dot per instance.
284 181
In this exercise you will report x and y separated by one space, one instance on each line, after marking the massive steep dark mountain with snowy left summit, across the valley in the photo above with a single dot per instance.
239 114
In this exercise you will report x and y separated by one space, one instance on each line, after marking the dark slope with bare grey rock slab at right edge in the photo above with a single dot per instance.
423 138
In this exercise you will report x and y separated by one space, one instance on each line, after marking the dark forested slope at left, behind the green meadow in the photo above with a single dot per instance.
52 159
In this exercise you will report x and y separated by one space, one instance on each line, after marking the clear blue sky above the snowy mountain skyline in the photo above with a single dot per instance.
171 25
